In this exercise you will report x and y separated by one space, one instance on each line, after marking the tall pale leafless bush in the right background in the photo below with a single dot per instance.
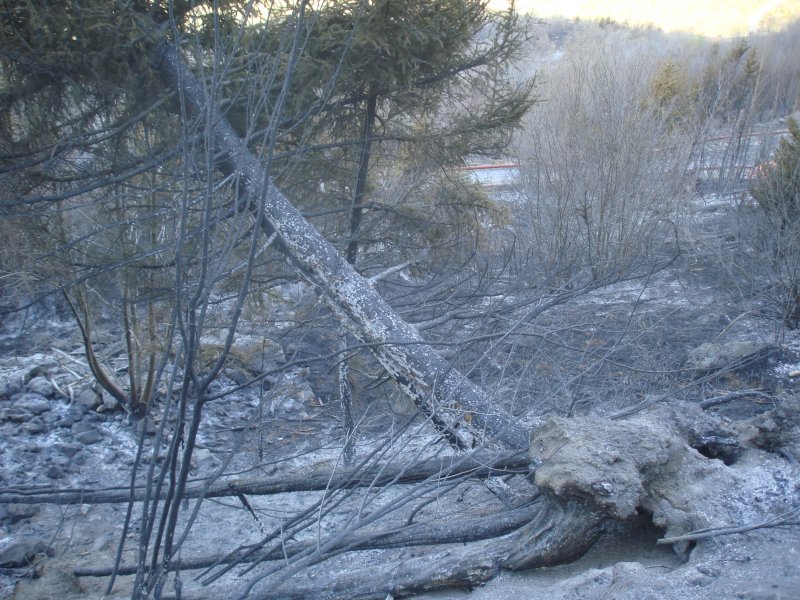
602 175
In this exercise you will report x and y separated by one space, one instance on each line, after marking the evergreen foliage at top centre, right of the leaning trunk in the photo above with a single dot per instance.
379 82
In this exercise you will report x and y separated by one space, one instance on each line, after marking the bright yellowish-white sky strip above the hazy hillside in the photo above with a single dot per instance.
708 17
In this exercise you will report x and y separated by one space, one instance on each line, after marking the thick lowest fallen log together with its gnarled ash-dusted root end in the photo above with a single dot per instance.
592 471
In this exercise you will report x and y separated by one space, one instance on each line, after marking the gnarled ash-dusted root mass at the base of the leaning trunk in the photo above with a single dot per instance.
656 463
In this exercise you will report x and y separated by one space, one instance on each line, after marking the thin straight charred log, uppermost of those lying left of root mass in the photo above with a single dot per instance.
478 465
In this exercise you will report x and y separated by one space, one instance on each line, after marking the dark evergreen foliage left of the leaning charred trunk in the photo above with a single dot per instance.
104 190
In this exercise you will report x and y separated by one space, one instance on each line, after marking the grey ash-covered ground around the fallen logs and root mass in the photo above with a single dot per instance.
59 433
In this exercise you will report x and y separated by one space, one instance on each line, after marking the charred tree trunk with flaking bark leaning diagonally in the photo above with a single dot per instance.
458 408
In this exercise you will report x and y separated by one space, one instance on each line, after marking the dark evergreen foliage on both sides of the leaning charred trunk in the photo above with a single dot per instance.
110 196
